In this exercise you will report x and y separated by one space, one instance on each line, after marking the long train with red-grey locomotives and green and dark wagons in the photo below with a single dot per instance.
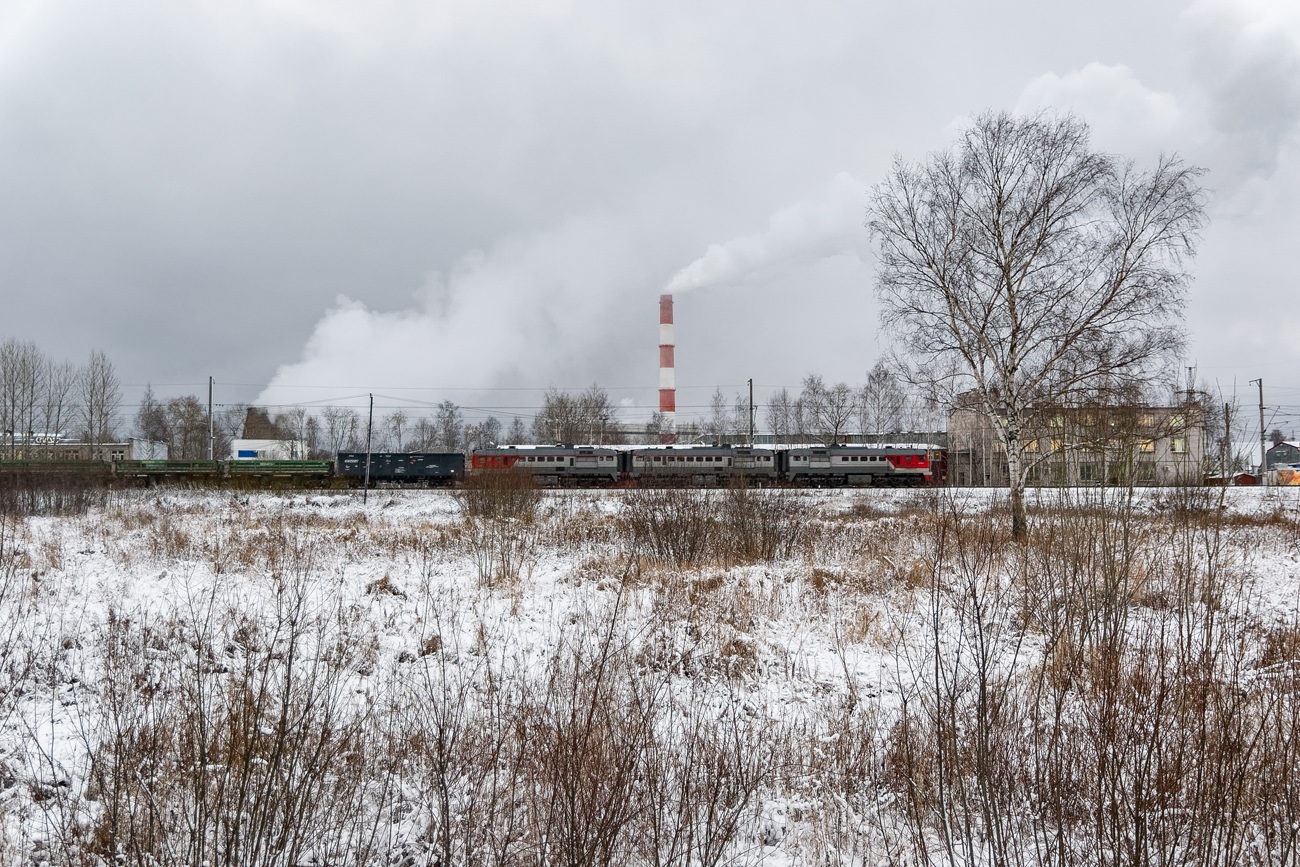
551 466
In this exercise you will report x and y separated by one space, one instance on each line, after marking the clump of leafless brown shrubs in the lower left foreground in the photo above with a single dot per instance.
235 740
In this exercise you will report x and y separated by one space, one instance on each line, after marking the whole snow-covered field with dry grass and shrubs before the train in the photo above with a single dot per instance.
670 678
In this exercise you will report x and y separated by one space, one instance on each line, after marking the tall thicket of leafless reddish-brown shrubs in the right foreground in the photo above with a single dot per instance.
1138 734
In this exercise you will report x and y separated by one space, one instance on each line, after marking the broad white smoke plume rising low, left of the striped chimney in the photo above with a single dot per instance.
522 314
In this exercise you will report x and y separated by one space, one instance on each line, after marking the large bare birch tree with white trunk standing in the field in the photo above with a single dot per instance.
1024 266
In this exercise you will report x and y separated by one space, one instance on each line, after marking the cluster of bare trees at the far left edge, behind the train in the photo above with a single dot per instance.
49 400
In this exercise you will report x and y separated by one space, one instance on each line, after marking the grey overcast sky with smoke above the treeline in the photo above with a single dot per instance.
457 200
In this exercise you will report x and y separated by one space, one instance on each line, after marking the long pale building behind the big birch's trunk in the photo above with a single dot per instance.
1086 445
